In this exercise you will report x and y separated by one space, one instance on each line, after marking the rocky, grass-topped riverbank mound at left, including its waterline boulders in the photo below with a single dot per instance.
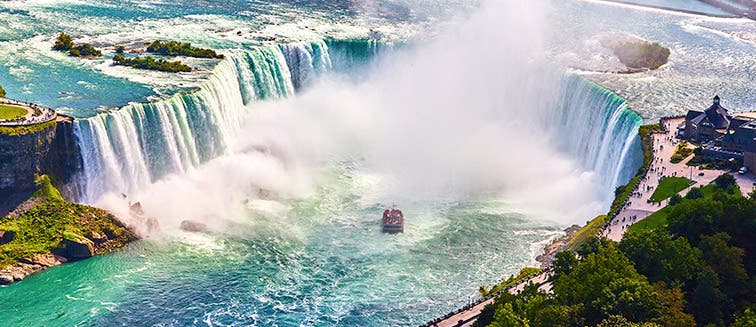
46 231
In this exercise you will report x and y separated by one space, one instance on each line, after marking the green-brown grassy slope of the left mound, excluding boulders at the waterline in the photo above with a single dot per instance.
41 224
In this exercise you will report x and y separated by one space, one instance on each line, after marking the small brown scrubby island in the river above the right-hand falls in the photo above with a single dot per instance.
637 54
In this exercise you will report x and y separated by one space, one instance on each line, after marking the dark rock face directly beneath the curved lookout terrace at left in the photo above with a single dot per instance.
21 156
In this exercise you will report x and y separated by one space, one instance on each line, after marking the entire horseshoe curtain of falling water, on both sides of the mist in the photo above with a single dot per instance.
126 149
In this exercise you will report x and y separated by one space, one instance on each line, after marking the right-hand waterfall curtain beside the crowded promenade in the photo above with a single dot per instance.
595 127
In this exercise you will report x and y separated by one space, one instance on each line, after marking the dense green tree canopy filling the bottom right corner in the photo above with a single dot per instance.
696 270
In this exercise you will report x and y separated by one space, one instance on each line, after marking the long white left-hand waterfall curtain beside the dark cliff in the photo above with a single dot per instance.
126 149
